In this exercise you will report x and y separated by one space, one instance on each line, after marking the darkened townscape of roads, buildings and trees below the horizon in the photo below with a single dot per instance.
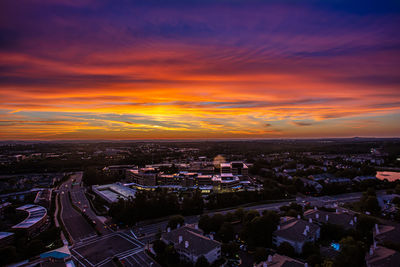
322 202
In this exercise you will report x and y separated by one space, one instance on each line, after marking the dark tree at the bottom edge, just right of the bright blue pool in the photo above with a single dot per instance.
351 253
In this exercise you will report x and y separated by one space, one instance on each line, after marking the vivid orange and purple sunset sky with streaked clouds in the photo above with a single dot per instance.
93 69
